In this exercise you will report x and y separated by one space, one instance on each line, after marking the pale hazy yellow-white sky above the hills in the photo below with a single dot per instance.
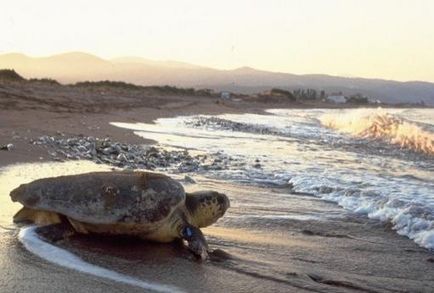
384 38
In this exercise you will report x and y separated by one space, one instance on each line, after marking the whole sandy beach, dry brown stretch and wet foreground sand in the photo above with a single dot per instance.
354 254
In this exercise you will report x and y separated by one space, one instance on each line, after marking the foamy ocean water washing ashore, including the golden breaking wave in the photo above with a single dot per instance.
376 163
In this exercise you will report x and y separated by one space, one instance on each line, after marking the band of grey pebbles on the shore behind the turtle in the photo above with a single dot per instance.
127 156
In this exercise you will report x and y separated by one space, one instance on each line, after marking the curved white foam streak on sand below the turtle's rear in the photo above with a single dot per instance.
56 255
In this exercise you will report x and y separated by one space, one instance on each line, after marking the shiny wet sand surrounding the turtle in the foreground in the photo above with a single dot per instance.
249 255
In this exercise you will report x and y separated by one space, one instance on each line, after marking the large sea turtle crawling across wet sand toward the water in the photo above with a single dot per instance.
149 205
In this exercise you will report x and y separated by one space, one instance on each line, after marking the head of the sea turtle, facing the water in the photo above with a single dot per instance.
206 207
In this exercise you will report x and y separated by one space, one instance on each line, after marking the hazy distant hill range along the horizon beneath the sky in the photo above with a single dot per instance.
77 66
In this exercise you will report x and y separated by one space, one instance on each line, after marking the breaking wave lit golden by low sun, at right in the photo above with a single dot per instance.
379 124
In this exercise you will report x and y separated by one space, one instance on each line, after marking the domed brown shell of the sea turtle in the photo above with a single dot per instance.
105 197
